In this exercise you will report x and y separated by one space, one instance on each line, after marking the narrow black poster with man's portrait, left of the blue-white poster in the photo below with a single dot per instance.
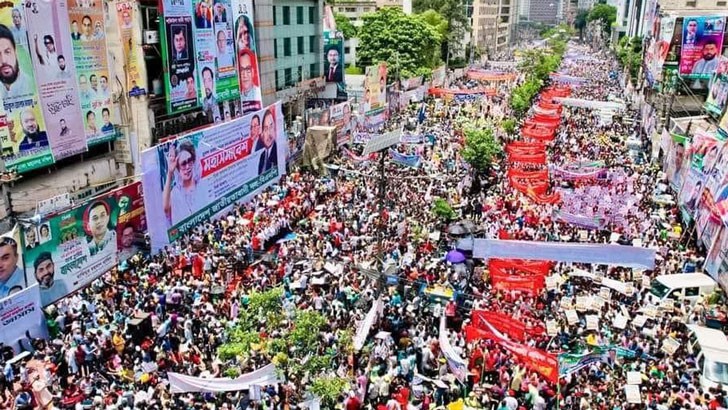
178 55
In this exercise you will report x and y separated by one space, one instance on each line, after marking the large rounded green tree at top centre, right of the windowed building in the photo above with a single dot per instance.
407 43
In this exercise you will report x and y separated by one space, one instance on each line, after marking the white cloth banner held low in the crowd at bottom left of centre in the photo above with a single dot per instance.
180 383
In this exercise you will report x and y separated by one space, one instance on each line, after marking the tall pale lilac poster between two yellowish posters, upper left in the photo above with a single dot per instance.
55 74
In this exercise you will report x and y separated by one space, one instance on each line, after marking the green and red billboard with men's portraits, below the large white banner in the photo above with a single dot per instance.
75 247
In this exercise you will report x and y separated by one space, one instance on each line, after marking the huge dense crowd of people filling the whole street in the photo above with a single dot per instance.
323 240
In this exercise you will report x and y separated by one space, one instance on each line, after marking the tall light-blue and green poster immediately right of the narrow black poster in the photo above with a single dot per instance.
214 46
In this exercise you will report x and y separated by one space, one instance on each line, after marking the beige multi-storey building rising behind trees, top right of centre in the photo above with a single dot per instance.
493 24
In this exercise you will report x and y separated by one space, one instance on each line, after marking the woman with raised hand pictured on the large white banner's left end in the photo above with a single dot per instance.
180 197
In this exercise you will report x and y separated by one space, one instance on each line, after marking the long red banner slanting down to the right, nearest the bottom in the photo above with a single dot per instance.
537 360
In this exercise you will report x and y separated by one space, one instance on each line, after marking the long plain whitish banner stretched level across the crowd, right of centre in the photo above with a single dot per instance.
605 254
